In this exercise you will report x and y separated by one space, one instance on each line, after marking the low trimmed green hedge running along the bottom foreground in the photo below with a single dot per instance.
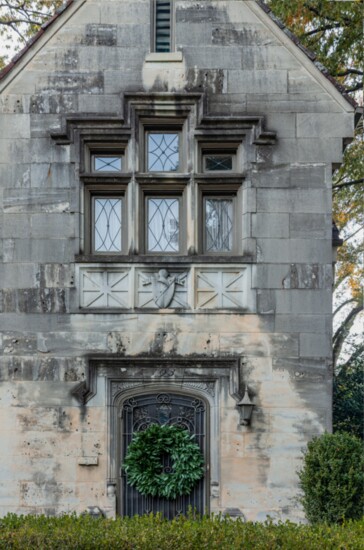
155 533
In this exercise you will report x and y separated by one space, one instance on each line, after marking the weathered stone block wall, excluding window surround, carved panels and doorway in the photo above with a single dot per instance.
244 65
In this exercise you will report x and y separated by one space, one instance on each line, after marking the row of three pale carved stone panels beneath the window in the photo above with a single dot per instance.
194 288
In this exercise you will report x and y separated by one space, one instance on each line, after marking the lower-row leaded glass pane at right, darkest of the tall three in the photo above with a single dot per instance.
218 225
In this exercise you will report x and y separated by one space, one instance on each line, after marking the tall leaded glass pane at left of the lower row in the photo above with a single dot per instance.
107 224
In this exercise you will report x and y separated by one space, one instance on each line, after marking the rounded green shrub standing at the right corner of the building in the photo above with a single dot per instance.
332 478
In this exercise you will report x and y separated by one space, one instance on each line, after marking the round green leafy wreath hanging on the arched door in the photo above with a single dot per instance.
143 462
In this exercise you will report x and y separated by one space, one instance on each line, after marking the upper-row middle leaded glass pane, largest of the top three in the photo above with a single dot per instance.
163 152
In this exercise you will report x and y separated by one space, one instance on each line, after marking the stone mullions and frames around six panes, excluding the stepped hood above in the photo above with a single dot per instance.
135 187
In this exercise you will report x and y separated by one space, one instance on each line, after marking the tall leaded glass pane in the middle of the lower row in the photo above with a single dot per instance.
163 225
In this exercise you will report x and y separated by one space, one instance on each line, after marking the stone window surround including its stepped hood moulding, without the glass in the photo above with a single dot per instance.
199 132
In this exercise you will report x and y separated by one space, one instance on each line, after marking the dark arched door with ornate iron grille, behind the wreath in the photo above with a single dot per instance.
141 411
